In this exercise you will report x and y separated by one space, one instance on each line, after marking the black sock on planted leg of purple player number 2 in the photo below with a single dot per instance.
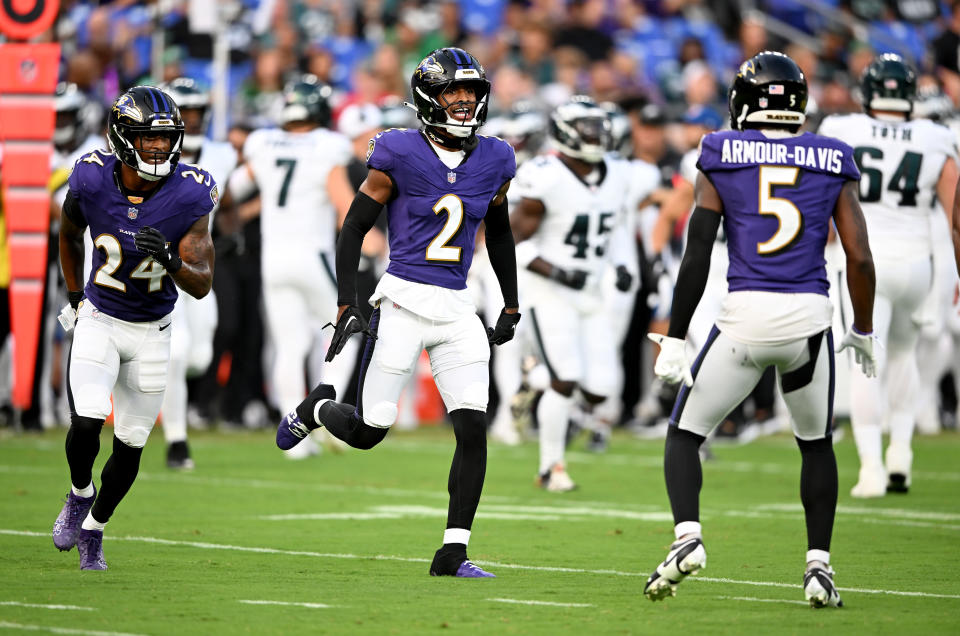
468 467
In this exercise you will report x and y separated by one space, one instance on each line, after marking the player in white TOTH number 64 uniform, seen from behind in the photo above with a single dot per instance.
904 164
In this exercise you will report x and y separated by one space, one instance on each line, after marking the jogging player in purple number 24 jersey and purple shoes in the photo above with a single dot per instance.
148 218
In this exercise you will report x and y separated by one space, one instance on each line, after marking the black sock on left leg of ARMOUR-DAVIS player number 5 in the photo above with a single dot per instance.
681 467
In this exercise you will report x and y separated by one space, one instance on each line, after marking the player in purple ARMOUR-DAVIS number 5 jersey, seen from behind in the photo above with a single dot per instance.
776 192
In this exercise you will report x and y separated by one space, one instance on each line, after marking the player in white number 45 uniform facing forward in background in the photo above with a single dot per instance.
572 216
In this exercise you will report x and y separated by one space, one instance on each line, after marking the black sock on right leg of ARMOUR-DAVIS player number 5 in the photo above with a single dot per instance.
818 490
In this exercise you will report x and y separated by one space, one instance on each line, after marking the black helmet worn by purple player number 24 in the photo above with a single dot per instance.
142 110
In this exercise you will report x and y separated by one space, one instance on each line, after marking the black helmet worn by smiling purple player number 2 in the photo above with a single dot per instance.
440 71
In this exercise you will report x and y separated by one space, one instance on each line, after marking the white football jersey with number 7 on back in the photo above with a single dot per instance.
291 171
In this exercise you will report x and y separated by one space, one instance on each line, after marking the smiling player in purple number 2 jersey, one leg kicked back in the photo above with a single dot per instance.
438 184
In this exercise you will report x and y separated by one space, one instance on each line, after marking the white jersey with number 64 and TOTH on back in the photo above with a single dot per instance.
900 165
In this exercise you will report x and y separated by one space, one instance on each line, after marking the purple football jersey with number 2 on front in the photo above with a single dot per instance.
432 222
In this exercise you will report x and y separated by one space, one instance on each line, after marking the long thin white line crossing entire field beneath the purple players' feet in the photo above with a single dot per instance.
491 564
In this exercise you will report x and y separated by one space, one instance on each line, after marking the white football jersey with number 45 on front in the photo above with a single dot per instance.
580 219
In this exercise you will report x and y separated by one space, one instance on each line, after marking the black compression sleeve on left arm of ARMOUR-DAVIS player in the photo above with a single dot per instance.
694 268
